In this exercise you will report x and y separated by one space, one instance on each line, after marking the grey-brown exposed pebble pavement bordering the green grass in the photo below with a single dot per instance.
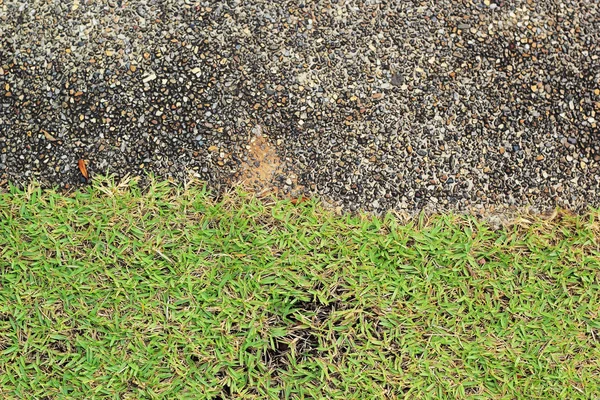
370 104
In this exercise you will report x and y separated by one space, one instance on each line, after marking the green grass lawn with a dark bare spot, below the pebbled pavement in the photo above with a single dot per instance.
116 292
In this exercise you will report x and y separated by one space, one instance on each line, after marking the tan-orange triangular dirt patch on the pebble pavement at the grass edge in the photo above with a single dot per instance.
263 172
